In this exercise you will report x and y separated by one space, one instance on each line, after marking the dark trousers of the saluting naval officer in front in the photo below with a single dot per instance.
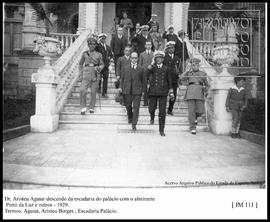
161 100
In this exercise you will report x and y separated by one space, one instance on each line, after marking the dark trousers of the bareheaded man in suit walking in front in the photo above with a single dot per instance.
132 103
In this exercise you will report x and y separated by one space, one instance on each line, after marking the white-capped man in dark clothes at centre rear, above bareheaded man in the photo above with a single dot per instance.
141 38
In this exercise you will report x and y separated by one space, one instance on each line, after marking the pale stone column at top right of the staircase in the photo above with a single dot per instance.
179 13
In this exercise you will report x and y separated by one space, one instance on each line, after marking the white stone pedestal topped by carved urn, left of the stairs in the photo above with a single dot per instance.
45 119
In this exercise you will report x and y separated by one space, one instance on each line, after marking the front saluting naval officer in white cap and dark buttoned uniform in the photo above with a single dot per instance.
160 84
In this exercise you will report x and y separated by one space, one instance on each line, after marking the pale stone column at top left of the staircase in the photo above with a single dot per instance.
88 17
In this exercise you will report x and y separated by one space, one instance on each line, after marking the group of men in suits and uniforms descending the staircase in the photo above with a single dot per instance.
141 70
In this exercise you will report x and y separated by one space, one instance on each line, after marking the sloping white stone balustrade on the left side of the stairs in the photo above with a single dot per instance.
66 67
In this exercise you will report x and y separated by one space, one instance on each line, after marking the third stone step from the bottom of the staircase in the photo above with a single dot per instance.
116 109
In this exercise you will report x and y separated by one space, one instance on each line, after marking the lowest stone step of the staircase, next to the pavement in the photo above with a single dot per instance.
124 127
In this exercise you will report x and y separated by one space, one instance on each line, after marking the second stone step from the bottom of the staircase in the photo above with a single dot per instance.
121 118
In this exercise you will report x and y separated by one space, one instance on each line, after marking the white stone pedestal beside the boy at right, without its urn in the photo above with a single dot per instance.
221 121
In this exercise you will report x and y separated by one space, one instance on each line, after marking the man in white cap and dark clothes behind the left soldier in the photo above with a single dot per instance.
106 52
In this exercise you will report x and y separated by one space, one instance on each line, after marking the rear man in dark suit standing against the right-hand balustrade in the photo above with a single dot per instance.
182 51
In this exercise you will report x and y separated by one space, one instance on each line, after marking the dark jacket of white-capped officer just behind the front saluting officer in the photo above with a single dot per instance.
173 65
